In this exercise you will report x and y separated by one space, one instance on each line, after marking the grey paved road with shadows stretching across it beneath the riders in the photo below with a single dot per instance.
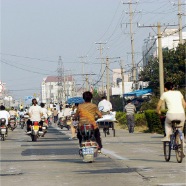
127 159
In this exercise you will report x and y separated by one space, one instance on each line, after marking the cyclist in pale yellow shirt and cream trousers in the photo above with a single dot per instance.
176 104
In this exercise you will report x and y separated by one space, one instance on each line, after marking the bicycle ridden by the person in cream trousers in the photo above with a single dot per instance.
175 143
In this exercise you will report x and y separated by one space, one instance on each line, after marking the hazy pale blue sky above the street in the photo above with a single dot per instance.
34 33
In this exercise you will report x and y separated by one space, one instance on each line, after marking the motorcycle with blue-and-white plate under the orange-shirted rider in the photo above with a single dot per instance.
88 147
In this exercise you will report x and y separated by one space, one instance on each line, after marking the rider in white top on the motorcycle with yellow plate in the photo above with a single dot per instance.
35 114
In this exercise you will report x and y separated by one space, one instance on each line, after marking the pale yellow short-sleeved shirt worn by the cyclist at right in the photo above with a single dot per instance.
173 100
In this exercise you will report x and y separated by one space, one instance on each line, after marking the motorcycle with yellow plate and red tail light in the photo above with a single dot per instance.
35 130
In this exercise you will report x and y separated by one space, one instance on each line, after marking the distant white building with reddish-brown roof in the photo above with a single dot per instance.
55 90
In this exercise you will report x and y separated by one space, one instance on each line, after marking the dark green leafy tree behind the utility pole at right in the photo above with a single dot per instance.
174 69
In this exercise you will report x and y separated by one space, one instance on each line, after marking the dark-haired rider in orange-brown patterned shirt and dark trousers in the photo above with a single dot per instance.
86 113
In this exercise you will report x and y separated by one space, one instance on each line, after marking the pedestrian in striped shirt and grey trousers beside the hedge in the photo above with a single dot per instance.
130 109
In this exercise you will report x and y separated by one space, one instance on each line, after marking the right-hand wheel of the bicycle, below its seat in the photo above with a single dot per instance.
179 148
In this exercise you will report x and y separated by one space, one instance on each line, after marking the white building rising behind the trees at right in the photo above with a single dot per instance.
170 40
